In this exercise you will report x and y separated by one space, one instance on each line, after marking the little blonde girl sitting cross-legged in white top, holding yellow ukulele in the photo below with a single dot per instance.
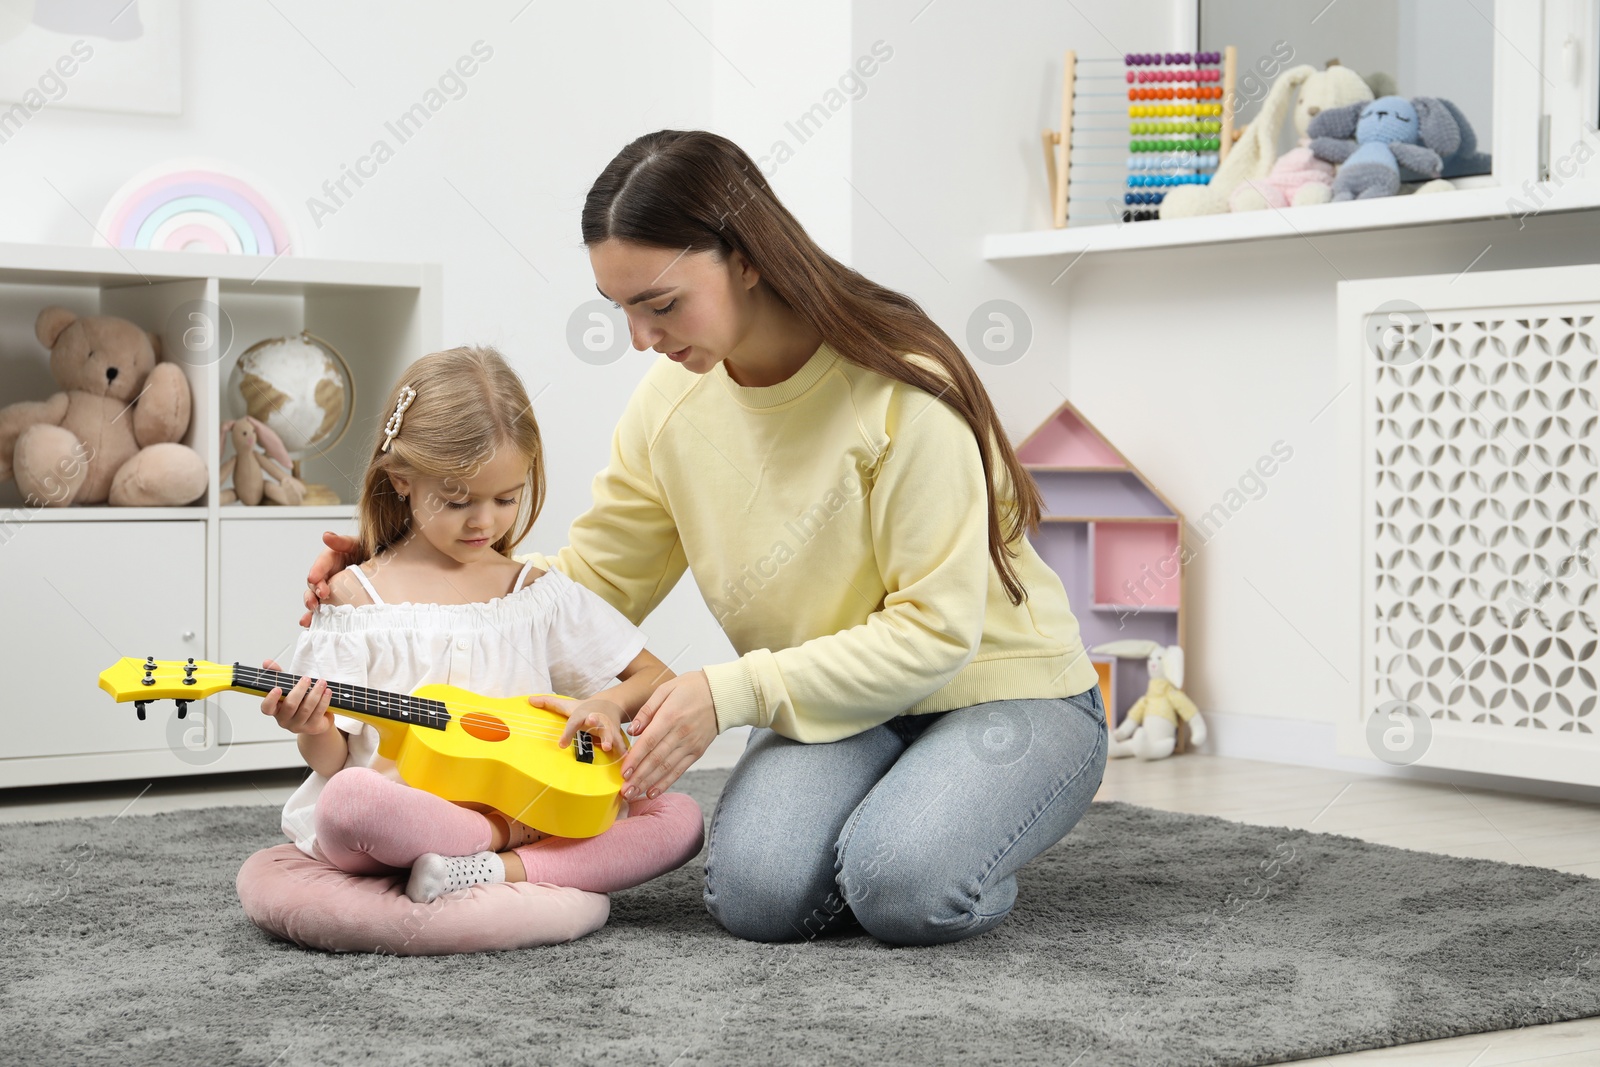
455 484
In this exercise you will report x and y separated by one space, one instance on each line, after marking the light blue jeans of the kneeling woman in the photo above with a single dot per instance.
911 831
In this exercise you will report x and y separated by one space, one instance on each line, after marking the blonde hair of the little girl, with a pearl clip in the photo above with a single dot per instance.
470 404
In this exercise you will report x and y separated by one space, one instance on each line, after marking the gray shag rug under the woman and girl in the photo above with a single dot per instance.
1143 938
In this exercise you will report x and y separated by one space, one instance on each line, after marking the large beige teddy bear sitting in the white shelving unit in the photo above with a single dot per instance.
111 434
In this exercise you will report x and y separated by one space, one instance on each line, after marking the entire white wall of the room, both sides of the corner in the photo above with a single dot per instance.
1193 361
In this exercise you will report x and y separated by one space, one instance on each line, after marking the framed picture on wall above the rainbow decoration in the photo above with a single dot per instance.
97 55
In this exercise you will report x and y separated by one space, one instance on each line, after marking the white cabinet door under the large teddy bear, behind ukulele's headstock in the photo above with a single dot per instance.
78 597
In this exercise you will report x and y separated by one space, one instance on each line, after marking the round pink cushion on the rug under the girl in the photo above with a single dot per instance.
318 906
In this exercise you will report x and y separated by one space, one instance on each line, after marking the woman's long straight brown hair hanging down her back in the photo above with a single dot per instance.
700 193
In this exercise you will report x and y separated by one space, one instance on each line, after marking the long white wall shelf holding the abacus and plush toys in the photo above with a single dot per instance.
1254 226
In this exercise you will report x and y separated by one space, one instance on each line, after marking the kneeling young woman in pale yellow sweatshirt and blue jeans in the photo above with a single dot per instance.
826 463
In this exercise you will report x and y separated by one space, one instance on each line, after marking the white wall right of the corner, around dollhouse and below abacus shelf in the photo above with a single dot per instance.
1193 361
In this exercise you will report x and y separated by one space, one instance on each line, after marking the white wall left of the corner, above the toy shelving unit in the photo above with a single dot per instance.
300 95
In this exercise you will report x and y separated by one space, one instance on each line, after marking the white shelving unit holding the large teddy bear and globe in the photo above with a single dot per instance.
84 586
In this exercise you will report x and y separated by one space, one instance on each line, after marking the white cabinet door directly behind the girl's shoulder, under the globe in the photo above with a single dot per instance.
263 575
